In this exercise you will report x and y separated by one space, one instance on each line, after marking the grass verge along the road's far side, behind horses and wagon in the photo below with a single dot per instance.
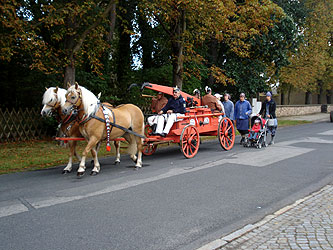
23 156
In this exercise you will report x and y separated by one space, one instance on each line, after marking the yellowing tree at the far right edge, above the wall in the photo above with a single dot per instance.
310 67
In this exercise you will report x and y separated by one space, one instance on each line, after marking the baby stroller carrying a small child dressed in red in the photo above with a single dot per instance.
257 134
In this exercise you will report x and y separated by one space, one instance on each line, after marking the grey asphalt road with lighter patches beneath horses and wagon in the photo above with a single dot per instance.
171 203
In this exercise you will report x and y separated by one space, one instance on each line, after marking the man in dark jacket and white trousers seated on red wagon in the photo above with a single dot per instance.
175 107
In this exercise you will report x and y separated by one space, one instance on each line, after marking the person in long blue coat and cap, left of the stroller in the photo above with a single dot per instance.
242 112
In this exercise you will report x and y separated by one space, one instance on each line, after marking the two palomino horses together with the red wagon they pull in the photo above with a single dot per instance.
83 117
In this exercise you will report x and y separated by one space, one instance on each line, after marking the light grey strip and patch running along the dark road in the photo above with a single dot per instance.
253 157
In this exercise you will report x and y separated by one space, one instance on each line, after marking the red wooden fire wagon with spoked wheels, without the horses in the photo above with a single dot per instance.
197 121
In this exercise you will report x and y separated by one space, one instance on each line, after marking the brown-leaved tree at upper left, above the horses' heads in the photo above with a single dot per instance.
59 35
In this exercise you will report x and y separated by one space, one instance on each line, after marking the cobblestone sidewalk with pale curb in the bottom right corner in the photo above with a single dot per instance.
307 224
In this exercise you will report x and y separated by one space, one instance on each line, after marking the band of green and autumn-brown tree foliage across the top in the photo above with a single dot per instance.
231 45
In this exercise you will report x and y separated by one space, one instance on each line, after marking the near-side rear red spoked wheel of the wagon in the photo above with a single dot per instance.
226 133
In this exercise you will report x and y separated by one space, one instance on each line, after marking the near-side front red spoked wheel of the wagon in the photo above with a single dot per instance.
189 141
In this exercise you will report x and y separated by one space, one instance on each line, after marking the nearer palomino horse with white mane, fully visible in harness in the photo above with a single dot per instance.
128 122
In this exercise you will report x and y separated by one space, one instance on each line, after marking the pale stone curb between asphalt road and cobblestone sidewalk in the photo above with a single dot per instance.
219 243
